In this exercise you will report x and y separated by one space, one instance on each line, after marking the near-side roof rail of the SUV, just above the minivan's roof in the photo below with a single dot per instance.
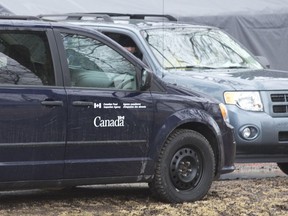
77 16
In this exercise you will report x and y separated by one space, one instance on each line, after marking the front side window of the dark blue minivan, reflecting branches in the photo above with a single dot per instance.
93 64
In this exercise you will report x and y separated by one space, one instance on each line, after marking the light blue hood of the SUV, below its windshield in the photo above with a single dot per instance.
216 82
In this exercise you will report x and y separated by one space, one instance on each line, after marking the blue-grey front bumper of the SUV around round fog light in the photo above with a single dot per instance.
269 143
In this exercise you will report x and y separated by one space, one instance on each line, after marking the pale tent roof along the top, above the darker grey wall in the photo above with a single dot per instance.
178 8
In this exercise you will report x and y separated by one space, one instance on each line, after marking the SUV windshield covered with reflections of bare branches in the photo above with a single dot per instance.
186 48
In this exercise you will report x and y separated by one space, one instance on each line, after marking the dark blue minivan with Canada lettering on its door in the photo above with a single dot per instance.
76 109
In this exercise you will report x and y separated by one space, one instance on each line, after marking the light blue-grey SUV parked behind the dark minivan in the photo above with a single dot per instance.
208 60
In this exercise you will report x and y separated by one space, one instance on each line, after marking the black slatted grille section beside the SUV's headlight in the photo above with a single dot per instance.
279 104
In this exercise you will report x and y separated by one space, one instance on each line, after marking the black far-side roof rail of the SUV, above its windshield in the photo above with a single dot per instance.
140 16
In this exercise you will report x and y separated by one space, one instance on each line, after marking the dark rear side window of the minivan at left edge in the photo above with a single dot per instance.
25 58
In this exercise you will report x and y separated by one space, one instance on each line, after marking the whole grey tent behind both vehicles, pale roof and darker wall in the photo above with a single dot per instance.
260 25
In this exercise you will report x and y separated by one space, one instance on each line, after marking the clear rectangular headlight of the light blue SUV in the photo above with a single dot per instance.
250 101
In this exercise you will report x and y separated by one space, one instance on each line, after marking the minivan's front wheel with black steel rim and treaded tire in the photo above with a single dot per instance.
185 168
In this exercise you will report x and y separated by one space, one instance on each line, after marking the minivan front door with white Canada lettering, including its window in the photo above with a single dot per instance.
109 119
